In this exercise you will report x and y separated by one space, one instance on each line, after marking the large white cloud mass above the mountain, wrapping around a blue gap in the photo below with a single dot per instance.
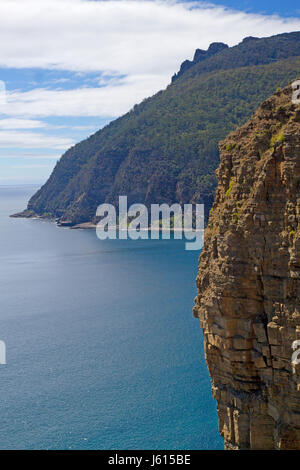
145 41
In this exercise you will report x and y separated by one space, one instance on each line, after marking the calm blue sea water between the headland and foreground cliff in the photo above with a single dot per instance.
102 349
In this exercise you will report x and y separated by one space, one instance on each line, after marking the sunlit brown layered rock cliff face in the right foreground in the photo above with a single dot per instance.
249 281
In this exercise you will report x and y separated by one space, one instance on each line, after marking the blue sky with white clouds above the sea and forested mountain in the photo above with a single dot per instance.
69 67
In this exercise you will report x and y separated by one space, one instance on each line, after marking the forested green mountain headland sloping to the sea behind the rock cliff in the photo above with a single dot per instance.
165 149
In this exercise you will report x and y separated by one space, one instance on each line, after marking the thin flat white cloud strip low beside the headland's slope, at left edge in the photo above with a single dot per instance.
13 139
